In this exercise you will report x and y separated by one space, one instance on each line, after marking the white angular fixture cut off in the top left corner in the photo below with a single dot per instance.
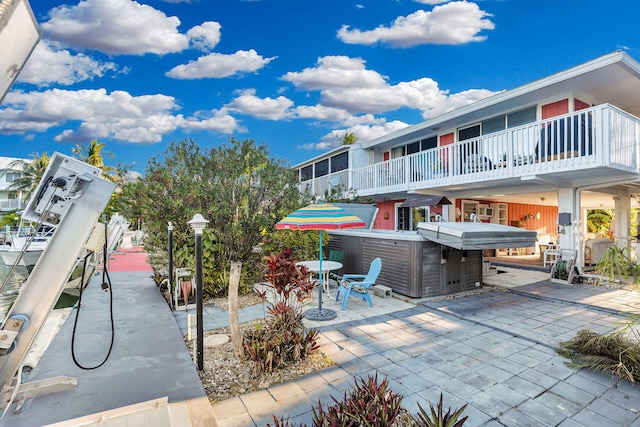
19 35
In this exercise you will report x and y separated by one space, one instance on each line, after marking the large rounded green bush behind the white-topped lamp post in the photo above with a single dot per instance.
237 187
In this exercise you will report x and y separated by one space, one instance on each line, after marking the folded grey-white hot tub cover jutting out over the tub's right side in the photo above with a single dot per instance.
475 235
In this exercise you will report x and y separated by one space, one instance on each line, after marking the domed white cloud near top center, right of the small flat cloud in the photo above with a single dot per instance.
336 72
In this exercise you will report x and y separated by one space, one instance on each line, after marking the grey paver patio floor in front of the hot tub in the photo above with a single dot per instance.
493 350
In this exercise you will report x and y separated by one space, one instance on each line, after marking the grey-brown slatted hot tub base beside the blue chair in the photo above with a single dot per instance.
411 264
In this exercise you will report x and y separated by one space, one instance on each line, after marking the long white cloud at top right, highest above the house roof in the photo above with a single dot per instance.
452 23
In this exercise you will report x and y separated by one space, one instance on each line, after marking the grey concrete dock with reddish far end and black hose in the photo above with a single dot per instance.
149 378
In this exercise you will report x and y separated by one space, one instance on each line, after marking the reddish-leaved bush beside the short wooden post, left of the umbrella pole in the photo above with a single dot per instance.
283 338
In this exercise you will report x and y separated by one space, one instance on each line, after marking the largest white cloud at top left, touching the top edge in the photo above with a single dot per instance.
115 27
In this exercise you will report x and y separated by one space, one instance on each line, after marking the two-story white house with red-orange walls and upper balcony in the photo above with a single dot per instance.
538 156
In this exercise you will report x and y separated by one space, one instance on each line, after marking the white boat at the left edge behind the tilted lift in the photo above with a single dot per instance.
24 244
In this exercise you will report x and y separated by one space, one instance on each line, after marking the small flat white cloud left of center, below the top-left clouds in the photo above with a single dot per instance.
217 65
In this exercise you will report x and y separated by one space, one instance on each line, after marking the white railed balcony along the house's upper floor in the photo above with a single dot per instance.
567 146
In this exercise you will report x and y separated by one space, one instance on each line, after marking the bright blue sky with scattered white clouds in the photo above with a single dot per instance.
293 74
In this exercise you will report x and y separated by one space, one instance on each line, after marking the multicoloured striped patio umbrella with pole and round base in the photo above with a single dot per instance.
321 216
